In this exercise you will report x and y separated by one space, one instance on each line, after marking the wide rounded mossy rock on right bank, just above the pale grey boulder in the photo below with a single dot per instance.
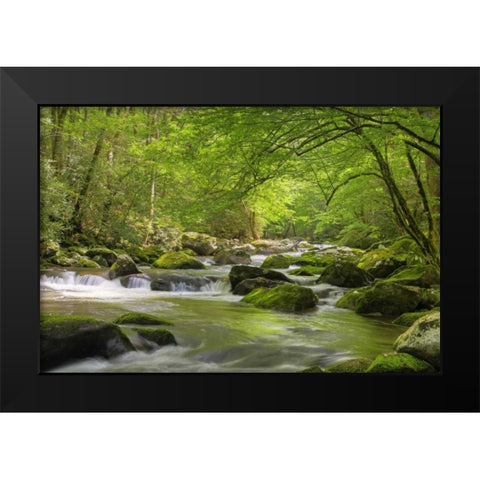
388 299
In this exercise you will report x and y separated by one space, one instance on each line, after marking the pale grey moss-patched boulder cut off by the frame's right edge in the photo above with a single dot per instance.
422 339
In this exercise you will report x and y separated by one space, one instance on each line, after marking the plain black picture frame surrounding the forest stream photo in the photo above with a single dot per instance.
456 90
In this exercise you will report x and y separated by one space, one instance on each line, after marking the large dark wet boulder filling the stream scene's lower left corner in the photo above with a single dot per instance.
67 338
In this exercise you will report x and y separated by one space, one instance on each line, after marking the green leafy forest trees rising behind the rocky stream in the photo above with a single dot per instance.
113 173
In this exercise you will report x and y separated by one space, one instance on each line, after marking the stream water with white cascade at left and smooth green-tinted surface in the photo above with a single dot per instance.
214 330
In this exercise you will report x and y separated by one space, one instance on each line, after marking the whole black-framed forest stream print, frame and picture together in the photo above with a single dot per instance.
239 239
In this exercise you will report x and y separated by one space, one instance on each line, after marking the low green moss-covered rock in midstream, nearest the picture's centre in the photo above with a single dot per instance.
286 298
